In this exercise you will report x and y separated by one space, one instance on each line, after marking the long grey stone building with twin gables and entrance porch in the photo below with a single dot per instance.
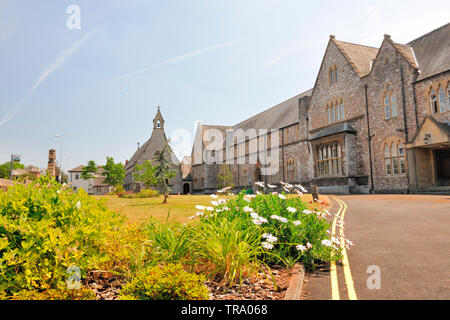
376 120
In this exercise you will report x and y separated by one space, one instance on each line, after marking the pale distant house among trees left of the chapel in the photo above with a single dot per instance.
95 185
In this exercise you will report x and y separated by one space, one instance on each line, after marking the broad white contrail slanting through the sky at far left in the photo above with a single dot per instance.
59 61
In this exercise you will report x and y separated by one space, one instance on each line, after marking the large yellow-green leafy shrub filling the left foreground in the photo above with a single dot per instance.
44 229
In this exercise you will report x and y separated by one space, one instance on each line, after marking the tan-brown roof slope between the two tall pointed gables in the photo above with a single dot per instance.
360 57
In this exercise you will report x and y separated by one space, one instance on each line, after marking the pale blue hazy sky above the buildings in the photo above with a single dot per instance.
97 81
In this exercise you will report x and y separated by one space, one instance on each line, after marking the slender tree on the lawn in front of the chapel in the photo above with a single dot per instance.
163 171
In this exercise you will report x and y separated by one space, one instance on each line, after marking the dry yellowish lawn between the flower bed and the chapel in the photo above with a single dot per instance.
181 207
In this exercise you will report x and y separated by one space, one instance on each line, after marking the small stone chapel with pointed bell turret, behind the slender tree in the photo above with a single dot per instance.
157 142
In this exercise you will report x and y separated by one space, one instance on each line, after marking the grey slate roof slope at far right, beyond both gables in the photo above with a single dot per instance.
432 52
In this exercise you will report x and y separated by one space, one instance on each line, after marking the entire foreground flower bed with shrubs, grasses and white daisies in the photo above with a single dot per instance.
230 246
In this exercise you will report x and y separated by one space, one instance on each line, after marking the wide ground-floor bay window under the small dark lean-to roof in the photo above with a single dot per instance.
329 159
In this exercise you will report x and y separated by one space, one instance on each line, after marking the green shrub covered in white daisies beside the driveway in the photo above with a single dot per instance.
289 229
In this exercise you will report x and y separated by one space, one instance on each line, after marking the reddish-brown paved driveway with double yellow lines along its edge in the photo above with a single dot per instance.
405 237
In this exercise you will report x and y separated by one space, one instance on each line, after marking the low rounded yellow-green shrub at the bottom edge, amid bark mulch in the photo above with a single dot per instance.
169 282
